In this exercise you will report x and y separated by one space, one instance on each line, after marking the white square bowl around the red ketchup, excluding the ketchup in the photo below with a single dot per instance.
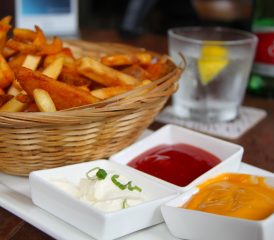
230 154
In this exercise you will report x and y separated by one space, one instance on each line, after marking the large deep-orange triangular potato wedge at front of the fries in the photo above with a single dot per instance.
63 95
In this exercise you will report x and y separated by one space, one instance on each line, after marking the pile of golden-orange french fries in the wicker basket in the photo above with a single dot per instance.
41 75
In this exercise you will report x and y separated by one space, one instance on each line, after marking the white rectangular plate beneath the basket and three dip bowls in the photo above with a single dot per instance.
15 197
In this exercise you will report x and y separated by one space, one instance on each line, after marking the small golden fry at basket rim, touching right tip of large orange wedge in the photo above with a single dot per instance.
104 93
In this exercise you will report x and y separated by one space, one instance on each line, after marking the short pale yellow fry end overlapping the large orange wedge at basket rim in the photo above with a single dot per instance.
43 100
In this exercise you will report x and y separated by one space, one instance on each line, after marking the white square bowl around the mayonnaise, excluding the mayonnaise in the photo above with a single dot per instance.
96 223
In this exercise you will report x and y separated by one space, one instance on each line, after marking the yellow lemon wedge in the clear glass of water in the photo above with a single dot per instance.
213 59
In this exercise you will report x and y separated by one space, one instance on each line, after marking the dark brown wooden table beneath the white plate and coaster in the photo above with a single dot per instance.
258 142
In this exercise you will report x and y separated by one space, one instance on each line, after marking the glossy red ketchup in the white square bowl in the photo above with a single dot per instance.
179 164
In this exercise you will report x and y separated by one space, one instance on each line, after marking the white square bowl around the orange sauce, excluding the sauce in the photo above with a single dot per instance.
192 224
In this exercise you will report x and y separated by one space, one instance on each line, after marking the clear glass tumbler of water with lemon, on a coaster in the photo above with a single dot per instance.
218 61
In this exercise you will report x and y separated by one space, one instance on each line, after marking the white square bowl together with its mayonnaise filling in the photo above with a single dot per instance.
57 191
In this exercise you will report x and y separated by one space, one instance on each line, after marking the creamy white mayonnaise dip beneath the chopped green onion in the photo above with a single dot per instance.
103 194
